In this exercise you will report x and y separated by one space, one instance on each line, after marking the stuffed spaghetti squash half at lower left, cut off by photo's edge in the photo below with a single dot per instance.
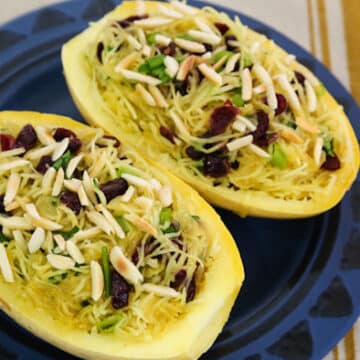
104 254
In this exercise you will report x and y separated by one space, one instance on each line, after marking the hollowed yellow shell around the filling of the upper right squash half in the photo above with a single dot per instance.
256 202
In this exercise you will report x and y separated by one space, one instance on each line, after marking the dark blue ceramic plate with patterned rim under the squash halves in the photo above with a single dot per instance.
302 290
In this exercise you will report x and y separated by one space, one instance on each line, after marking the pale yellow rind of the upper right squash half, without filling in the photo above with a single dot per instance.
242 202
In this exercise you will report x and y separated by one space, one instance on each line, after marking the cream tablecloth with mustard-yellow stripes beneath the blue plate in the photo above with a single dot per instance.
323 27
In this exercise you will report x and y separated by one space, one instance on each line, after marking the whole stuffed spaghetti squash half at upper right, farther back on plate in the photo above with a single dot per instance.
219 105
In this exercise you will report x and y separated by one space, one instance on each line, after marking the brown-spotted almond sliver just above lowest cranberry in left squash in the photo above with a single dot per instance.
124 266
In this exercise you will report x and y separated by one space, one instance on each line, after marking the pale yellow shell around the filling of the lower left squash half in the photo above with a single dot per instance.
185 338
